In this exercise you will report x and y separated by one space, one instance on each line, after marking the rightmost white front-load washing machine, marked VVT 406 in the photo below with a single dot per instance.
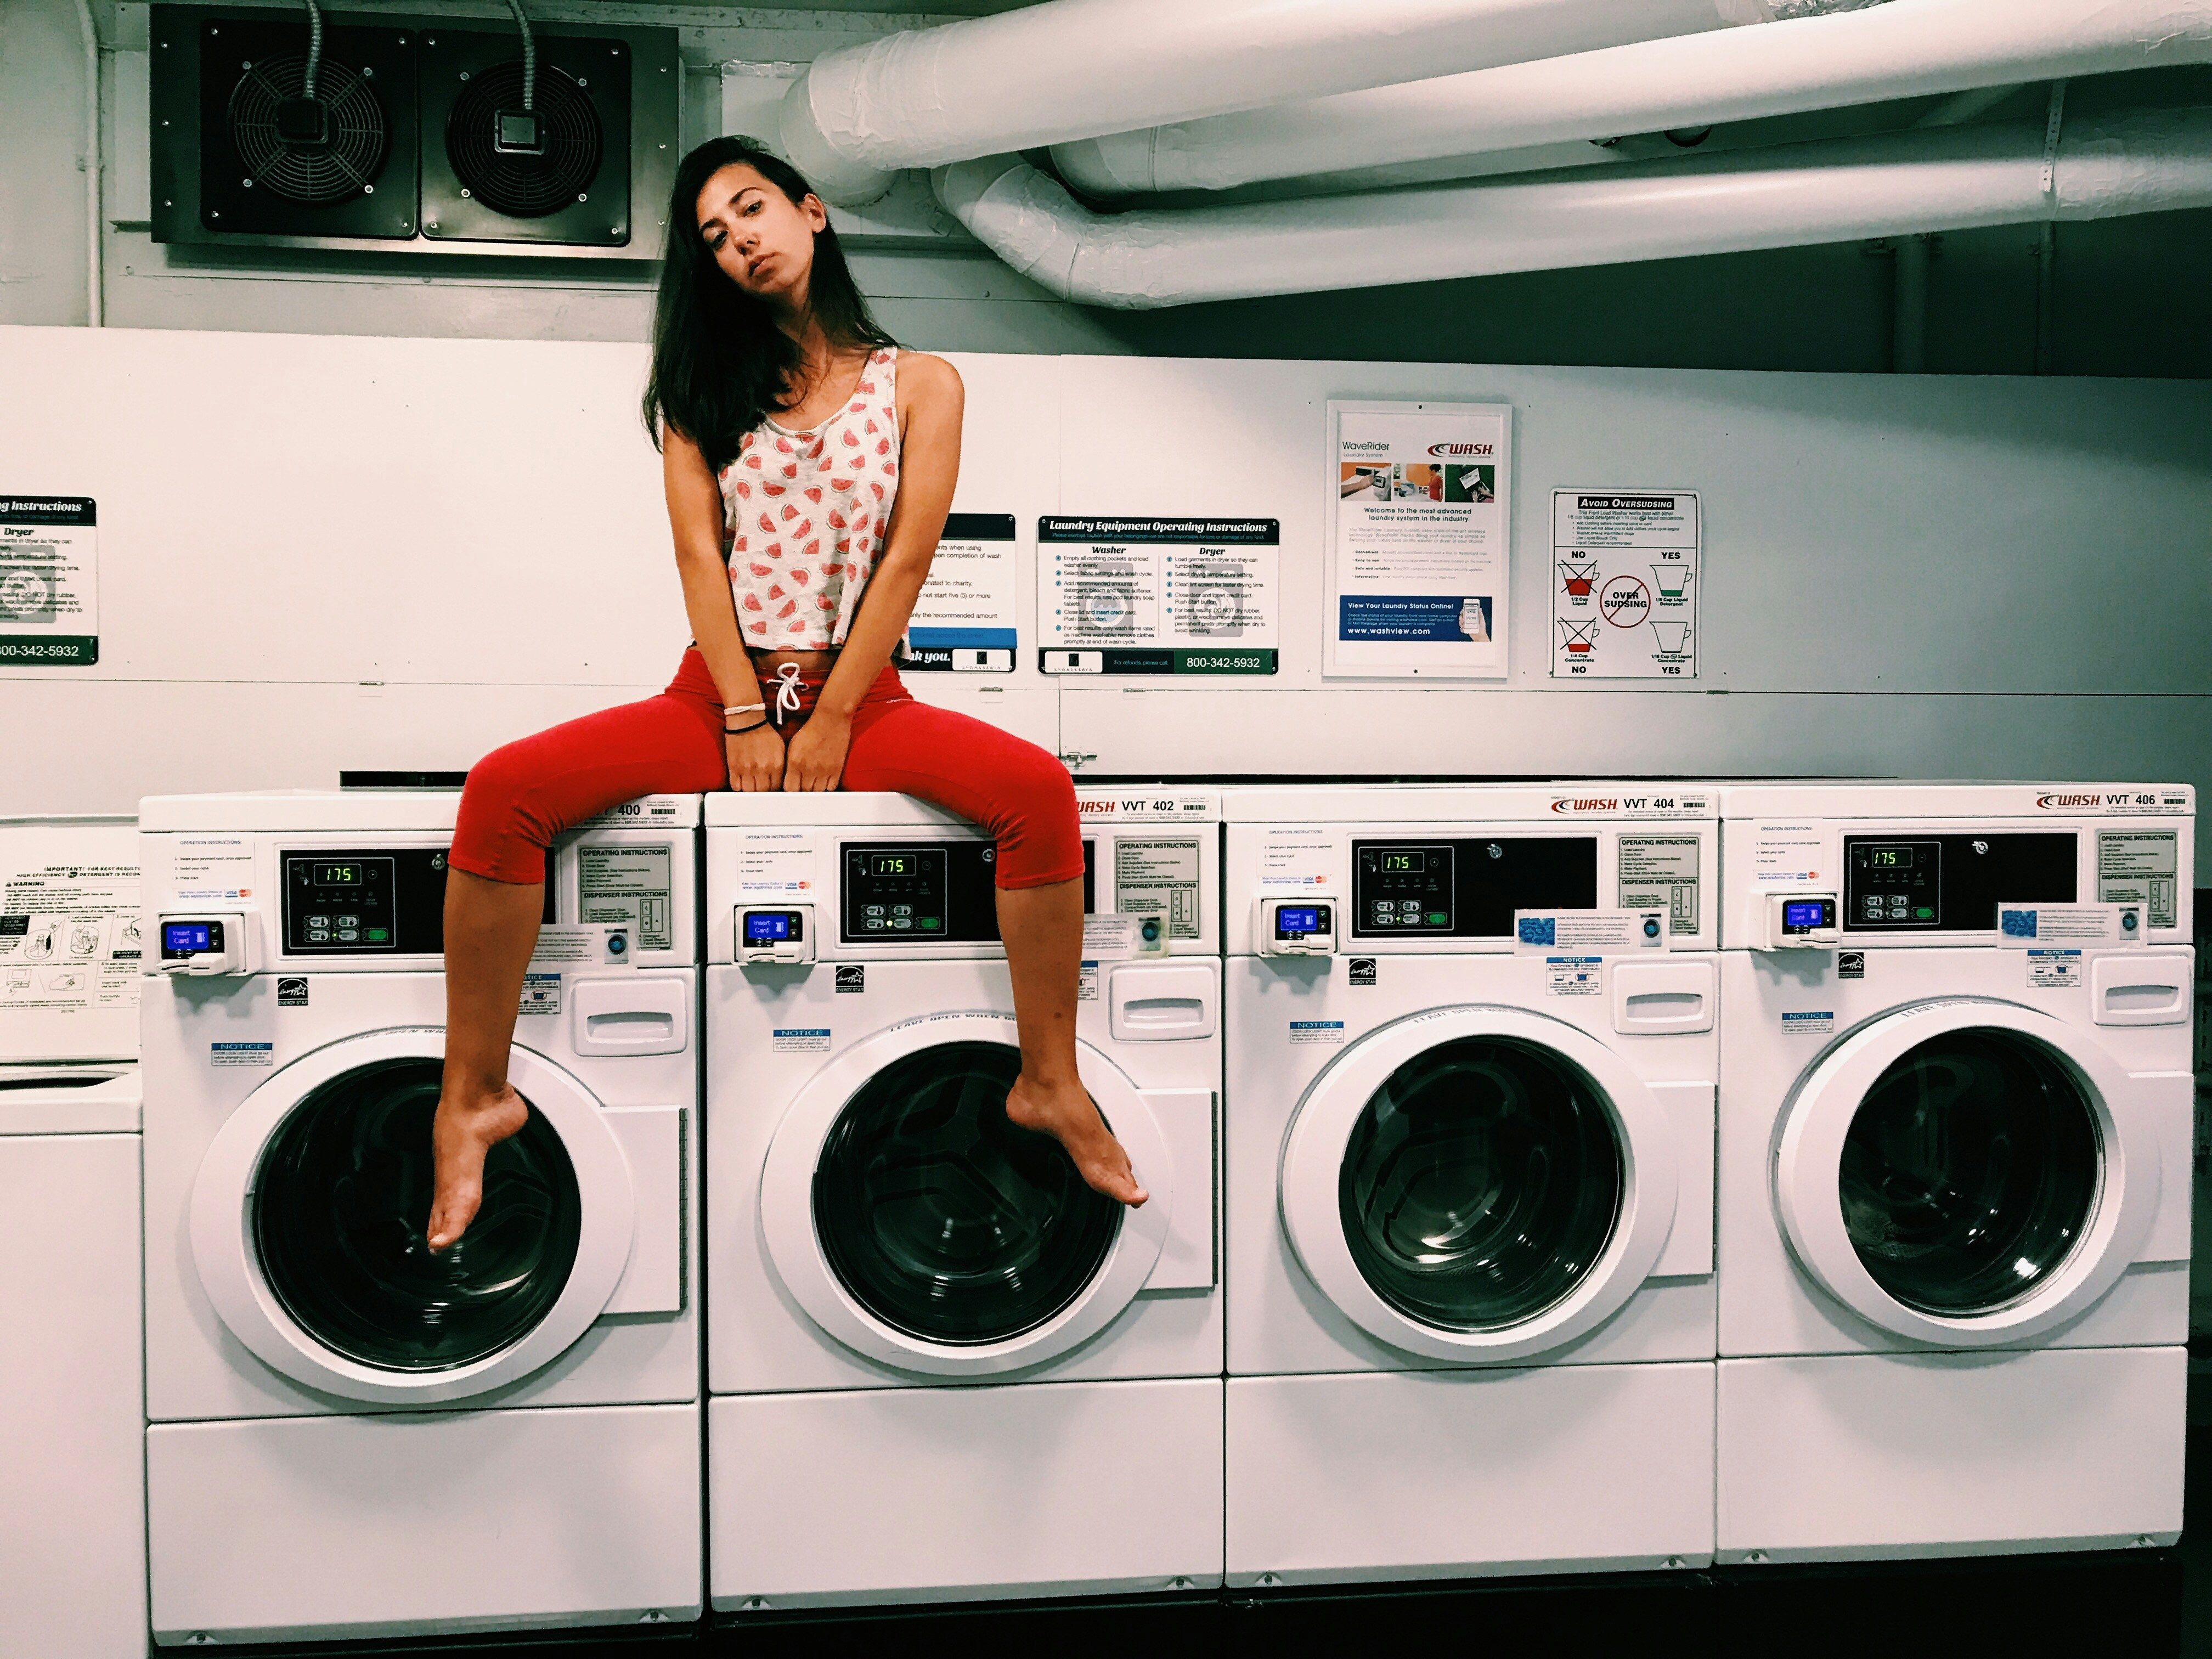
1954 1171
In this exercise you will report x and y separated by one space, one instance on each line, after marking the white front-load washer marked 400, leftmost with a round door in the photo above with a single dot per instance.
348 1434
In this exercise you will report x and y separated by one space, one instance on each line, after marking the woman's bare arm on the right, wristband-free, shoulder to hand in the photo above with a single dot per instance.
930 408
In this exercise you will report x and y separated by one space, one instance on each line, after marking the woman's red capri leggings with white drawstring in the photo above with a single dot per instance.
528 793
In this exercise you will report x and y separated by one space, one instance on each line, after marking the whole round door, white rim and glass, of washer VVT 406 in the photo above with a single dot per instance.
1965 1173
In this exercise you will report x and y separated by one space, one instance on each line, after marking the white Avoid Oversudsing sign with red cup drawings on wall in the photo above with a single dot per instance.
1625 576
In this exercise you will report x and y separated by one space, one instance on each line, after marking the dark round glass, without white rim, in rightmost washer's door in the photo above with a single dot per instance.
1970 1171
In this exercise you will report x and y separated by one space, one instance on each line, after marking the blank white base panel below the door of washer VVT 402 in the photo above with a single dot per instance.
963 1494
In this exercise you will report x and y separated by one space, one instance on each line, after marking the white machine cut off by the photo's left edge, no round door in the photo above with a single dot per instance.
72 1401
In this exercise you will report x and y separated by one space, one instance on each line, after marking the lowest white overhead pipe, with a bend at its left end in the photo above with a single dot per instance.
1897 185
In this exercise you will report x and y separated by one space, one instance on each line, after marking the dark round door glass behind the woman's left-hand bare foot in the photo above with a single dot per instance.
337 1218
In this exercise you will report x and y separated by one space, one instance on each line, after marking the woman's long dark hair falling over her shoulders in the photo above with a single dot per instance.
720 362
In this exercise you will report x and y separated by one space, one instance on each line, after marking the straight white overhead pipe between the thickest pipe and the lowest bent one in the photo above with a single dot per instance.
1901 50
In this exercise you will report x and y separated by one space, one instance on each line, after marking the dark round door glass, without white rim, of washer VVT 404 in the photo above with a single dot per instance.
1481 1185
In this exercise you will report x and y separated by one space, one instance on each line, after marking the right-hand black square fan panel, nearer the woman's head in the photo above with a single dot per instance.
552 167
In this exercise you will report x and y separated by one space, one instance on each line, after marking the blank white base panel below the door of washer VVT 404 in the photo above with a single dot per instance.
1470 1474
